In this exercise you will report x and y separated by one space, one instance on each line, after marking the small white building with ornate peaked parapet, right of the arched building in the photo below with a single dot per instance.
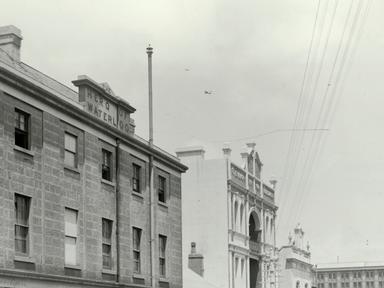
295 268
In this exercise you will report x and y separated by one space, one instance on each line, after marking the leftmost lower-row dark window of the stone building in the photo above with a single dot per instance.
21 223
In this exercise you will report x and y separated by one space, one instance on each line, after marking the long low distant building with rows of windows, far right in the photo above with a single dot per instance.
350 275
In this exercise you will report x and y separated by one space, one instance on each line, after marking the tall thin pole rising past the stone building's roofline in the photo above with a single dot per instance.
151 188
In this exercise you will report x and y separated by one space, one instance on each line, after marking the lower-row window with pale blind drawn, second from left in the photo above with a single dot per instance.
70 255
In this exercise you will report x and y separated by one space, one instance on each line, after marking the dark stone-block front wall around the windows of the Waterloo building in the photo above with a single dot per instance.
42 175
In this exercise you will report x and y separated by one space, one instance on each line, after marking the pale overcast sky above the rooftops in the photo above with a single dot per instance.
252 55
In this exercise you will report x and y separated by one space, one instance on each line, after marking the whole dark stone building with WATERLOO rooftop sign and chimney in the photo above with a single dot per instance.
75 201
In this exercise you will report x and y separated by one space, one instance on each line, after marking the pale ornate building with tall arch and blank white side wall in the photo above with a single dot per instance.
229 214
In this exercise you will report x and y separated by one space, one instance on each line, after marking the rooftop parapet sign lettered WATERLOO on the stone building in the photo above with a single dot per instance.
99 102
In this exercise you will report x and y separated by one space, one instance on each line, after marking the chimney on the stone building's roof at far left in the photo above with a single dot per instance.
10 41
